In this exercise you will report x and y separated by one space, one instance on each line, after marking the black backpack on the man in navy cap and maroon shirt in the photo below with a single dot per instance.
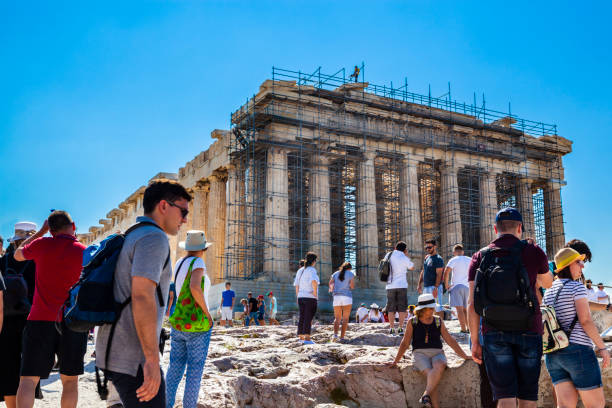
502 293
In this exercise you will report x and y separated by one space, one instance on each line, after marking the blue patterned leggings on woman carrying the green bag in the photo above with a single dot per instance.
188 350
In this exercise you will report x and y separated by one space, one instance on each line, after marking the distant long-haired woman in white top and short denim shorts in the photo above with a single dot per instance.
341 284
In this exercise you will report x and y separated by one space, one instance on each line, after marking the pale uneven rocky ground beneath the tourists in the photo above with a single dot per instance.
268 367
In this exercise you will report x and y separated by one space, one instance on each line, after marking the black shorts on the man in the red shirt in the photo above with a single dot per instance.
42 341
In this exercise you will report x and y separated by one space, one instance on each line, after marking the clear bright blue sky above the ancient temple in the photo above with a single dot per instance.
96 98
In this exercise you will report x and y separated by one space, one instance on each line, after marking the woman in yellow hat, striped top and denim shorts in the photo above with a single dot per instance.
574 370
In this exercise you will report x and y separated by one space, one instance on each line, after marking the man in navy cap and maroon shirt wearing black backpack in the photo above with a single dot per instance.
512 326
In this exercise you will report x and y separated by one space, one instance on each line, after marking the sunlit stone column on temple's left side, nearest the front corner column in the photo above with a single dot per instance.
234 241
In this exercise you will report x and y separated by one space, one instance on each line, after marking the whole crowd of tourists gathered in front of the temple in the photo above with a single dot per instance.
497 295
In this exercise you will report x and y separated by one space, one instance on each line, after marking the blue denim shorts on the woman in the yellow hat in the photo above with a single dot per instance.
576 363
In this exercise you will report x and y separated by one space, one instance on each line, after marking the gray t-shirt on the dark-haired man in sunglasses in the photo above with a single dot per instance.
144 254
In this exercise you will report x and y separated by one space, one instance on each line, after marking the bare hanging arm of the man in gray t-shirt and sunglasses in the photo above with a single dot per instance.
144 310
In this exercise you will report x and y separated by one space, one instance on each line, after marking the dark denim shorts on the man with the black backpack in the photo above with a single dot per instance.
513 361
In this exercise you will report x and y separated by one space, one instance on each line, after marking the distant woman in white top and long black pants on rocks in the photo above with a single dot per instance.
306 290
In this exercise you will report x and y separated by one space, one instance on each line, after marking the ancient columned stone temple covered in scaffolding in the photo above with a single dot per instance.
316 163
